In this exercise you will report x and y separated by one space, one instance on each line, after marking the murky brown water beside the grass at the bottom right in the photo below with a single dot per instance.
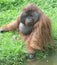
49 60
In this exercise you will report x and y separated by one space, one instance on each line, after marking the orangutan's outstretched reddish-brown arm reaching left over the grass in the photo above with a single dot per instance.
11 26
